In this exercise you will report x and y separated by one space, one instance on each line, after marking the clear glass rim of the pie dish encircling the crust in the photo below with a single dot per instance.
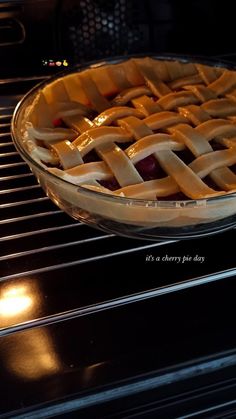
101 195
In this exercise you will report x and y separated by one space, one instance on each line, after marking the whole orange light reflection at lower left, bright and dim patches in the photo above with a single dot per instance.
30 355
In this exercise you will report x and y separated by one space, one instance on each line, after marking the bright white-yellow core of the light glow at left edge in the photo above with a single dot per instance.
15 301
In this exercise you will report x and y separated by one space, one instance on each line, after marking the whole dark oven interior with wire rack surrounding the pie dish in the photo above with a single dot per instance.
93 325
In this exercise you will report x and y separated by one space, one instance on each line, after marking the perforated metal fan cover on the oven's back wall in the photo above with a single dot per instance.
100 25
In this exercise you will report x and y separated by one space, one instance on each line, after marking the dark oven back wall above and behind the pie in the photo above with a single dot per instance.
35 31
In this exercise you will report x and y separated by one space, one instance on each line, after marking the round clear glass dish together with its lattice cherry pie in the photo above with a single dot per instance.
142 147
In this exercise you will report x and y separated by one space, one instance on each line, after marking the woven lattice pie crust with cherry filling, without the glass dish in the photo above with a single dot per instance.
143 128
